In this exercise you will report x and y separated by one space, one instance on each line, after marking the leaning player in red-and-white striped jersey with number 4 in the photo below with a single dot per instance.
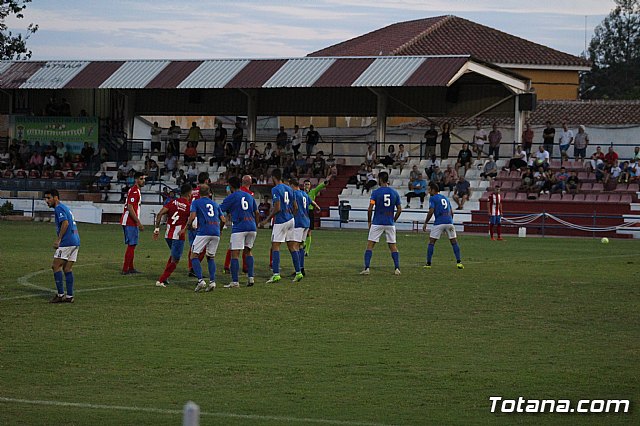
177 212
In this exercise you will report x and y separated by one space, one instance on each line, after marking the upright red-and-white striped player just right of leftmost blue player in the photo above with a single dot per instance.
131 224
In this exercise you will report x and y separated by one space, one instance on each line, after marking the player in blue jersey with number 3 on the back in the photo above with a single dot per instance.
209 217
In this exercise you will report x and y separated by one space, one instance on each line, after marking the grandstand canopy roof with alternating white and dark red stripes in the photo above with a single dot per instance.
378 71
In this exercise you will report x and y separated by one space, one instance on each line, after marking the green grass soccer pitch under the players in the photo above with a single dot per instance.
539 318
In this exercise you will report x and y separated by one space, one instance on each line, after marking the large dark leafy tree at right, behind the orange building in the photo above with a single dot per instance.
614 52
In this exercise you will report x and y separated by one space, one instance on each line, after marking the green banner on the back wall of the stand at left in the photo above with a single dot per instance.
72 131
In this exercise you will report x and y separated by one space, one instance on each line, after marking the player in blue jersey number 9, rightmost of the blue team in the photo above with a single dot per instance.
440 207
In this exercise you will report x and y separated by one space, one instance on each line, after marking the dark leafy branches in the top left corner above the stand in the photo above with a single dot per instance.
14 46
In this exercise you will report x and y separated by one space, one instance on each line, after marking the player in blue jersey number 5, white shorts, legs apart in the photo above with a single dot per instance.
385 207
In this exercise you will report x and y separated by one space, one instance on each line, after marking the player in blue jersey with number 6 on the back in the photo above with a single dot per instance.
243 209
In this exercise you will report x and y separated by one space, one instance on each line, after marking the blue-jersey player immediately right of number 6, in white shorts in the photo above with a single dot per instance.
284 207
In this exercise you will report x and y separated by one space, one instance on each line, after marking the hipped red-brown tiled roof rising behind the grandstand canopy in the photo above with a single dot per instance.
451 35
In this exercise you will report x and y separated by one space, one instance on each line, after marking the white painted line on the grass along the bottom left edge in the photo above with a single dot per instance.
179 412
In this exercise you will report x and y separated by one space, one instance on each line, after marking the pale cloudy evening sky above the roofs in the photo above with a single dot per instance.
191 29
